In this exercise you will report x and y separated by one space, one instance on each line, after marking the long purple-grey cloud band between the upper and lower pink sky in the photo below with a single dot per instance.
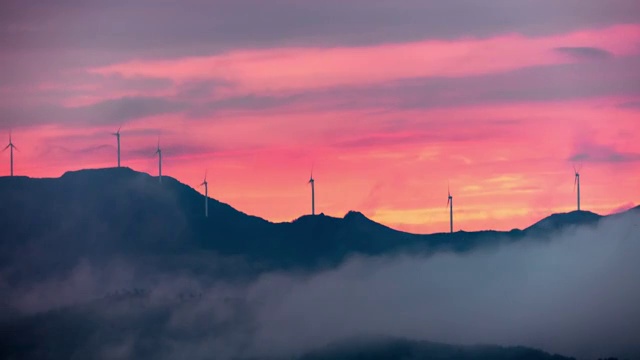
206 99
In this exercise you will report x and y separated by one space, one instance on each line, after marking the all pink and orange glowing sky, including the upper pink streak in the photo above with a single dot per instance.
507 161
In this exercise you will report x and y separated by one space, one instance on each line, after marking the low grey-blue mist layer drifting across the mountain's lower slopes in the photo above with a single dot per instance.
575 294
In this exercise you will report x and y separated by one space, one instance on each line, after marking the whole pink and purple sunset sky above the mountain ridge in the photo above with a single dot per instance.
389 102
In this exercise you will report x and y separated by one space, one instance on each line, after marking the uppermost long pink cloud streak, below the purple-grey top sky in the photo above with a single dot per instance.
297 68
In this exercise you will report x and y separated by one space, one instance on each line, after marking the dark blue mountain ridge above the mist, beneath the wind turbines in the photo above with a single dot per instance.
48 225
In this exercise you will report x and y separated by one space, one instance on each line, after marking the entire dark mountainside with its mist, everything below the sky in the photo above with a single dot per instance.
112 264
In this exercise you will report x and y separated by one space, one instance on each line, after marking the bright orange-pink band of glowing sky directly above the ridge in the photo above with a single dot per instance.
497 183
